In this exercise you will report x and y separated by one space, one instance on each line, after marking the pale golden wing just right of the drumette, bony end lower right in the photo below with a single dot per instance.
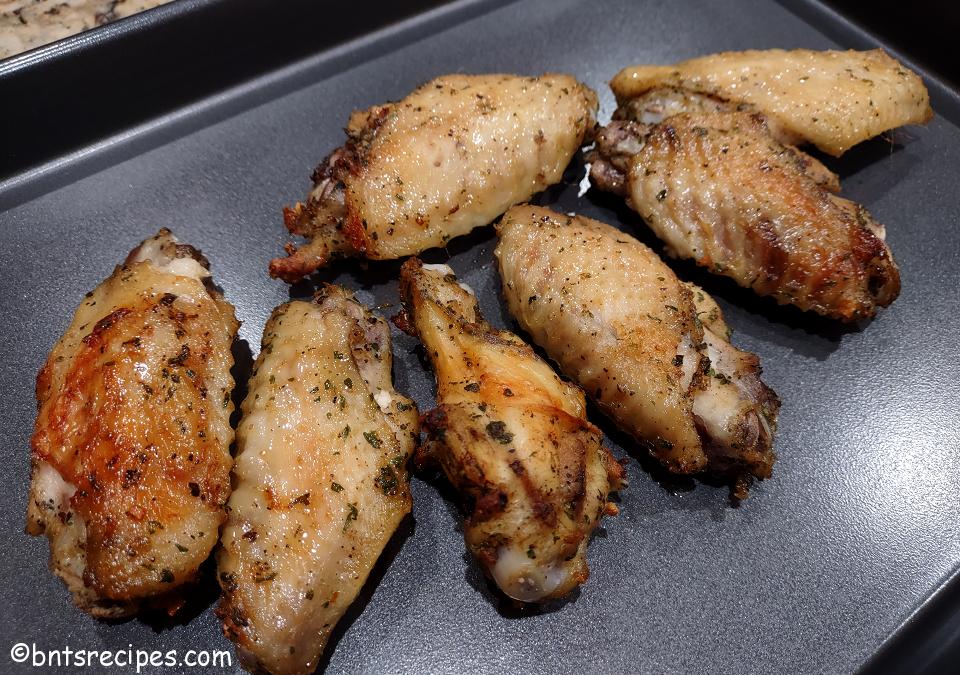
651 350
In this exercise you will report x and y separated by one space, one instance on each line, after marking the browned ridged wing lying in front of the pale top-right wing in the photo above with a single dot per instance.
718 188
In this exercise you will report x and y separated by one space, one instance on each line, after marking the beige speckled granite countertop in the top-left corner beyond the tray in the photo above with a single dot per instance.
25 24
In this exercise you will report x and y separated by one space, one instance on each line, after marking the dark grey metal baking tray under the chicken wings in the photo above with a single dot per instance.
851 543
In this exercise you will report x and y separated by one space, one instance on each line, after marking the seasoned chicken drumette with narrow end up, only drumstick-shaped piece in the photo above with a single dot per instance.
513 439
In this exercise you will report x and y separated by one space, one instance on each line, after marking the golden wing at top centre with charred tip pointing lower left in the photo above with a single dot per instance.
451 156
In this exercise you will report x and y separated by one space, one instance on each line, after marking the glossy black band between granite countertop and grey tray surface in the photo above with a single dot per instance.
71 93
